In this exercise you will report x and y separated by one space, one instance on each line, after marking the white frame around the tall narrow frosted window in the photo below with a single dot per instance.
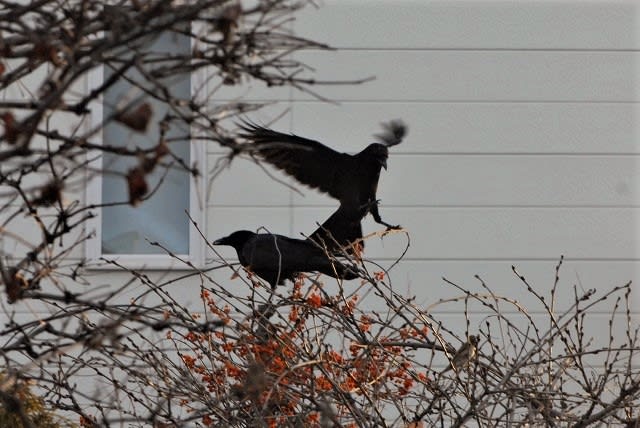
197 196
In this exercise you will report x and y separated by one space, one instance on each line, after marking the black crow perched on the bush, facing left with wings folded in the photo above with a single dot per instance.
275 258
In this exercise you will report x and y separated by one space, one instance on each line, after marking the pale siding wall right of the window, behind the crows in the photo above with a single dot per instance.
522 145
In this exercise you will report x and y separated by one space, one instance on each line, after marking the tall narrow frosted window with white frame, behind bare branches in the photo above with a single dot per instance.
123 232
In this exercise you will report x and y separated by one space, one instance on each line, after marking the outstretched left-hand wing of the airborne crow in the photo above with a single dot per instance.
308 161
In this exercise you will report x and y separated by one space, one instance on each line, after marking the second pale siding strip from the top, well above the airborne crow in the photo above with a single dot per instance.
475 76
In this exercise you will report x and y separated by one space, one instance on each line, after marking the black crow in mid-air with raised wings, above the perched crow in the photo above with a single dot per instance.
352 179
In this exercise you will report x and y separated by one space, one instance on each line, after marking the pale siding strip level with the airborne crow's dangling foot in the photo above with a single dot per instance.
497 233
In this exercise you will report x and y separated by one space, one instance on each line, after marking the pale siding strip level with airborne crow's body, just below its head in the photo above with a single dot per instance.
442 180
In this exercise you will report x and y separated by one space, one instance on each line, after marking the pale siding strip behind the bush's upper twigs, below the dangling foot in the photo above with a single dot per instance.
422 281
